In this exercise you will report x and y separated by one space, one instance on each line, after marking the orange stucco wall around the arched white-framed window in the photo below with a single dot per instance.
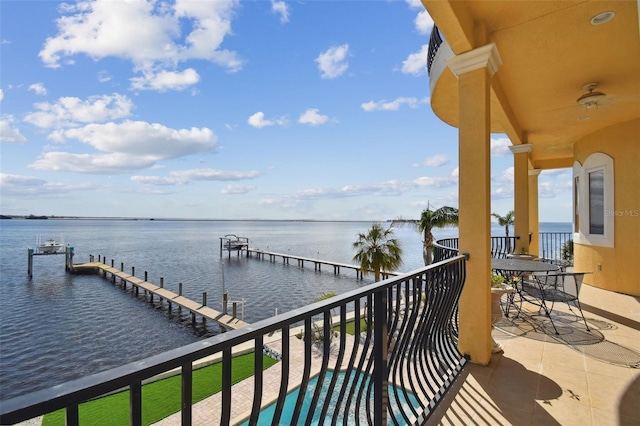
617 268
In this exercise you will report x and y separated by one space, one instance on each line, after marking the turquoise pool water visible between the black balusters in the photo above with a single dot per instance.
267 413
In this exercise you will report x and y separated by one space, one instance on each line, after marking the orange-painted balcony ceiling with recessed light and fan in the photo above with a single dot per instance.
550 51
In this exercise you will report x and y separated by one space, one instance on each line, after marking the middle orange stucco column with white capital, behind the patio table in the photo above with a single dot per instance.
521 195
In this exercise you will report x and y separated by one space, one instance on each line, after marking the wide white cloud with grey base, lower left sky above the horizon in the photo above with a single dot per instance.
146 140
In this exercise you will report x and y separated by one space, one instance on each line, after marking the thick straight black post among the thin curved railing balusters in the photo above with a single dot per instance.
380 372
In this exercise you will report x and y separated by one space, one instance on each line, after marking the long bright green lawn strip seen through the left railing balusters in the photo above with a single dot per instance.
159 399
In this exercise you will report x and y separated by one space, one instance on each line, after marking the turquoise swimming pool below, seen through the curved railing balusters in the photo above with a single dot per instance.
266 414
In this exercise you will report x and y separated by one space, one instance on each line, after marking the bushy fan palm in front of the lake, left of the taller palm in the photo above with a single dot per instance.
377 250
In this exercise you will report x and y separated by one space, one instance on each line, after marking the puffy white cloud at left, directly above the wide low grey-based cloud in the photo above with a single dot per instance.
71 111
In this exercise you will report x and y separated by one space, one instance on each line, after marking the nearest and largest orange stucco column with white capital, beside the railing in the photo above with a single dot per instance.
474 70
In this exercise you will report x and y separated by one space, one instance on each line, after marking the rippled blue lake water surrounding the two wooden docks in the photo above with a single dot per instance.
57 327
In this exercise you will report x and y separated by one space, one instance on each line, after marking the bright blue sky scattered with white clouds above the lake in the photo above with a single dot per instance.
220 109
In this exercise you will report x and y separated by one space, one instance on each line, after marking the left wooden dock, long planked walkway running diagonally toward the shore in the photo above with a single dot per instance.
226 321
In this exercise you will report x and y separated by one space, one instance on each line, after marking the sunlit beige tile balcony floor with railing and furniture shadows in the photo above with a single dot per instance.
578 377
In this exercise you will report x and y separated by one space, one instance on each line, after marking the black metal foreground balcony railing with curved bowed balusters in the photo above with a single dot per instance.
395 371
